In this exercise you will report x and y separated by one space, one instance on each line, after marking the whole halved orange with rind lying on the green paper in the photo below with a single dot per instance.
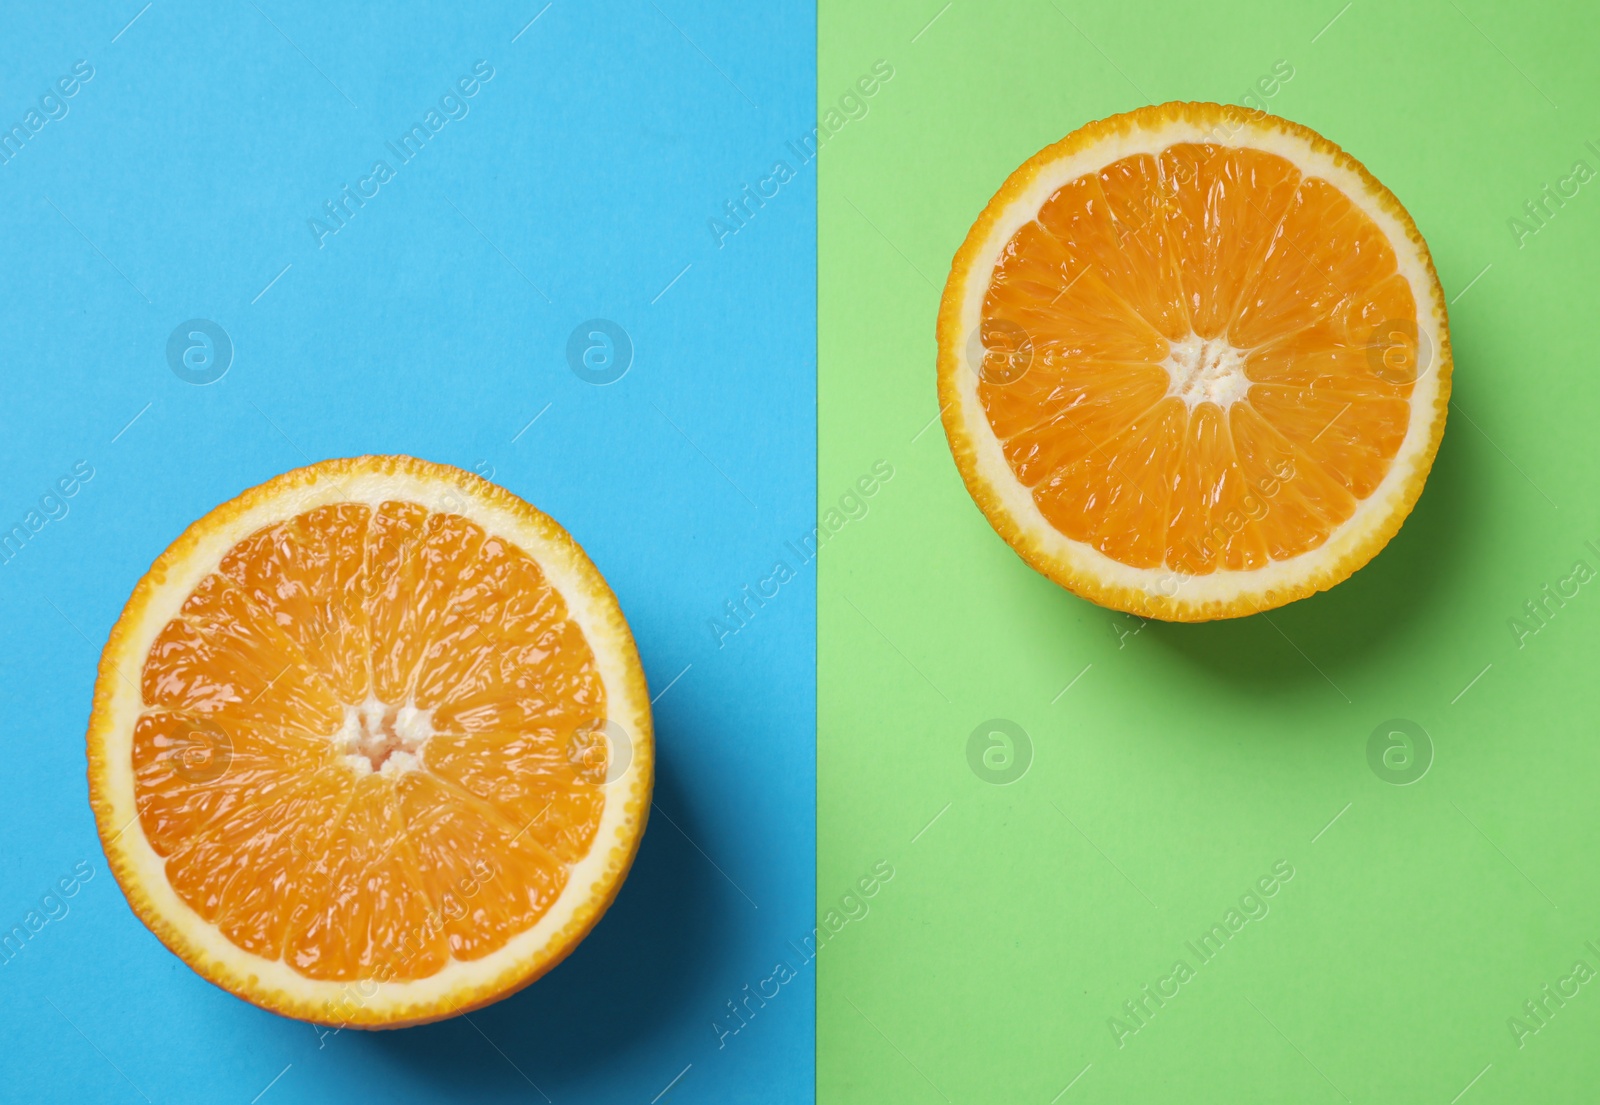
1194 362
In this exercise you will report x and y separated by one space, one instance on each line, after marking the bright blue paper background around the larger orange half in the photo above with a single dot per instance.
580 186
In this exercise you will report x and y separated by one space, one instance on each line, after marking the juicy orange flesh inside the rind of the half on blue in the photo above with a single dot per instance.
350 864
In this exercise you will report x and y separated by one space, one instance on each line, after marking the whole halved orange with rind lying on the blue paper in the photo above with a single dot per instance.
372 744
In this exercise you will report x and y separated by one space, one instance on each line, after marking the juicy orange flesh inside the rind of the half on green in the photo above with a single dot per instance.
1201 244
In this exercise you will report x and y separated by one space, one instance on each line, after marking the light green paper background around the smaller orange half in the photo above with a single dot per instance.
1186 760
